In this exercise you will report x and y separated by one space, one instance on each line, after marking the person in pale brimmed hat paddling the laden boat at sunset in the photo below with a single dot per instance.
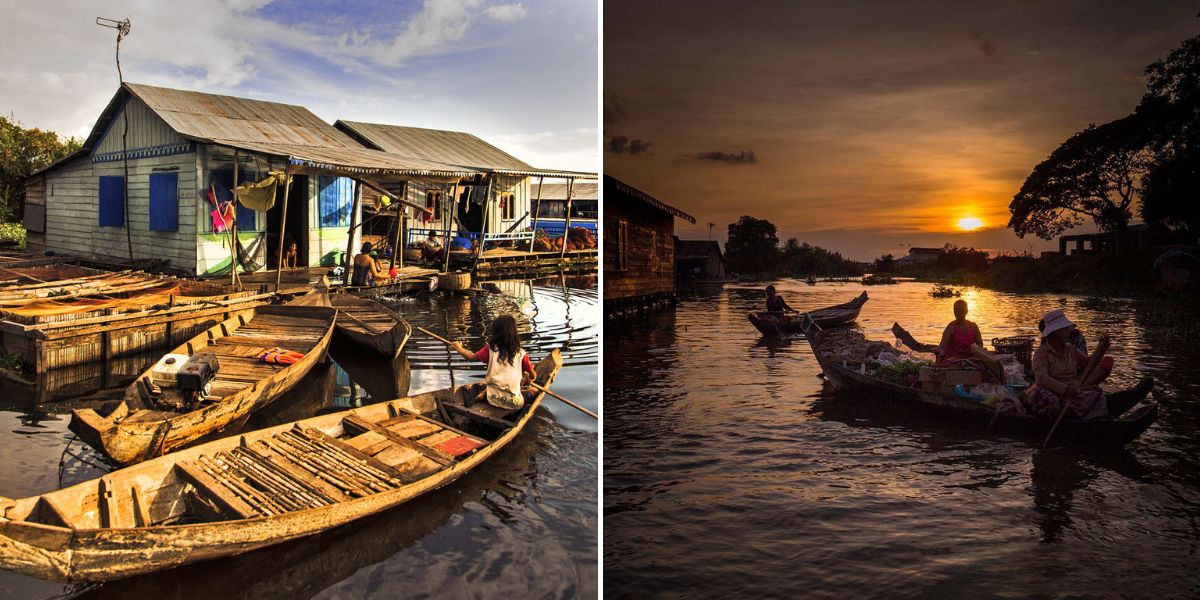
1059 375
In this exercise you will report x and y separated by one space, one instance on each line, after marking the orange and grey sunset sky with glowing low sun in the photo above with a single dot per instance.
866 128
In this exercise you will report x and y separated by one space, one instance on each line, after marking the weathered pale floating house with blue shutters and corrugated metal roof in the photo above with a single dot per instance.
153 177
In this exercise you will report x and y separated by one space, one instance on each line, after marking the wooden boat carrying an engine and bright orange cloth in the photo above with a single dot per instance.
140 430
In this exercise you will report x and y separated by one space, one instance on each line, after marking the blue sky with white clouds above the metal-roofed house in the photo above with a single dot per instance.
521 75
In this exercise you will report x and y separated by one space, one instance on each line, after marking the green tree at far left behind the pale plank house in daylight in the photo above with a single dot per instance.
22 153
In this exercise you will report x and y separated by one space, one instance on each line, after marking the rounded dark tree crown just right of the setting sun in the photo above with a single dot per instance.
1095 175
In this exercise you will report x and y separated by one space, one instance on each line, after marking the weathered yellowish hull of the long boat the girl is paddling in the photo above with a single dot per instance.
97 554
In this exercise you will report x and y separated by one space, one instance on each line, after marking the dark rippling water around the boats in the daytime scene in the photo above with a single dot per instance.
525 524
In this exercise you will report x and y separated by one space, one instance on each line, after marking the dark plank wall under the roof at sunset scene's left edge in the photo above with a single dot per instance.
650 265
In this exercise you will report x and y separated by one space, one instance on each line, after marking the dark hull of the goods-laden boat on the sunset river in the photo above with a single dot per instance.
1131 416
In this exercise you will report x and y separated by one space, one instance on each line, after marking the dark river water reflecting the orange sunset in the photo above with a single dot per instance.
733 470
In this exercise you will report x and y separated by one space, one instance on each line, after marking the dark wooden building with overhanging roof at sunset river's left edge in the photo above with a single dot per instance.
639 249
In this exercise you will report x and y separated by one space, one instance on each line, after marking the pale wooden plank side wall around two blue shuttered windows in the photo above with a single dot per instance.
74 205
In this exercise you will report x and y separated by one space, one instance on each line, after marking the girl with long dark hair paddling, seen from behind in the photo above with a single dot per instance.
508 367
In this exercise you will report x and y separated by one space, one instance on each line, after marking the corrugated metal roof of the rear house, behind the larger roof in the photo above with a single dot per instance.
448 147
